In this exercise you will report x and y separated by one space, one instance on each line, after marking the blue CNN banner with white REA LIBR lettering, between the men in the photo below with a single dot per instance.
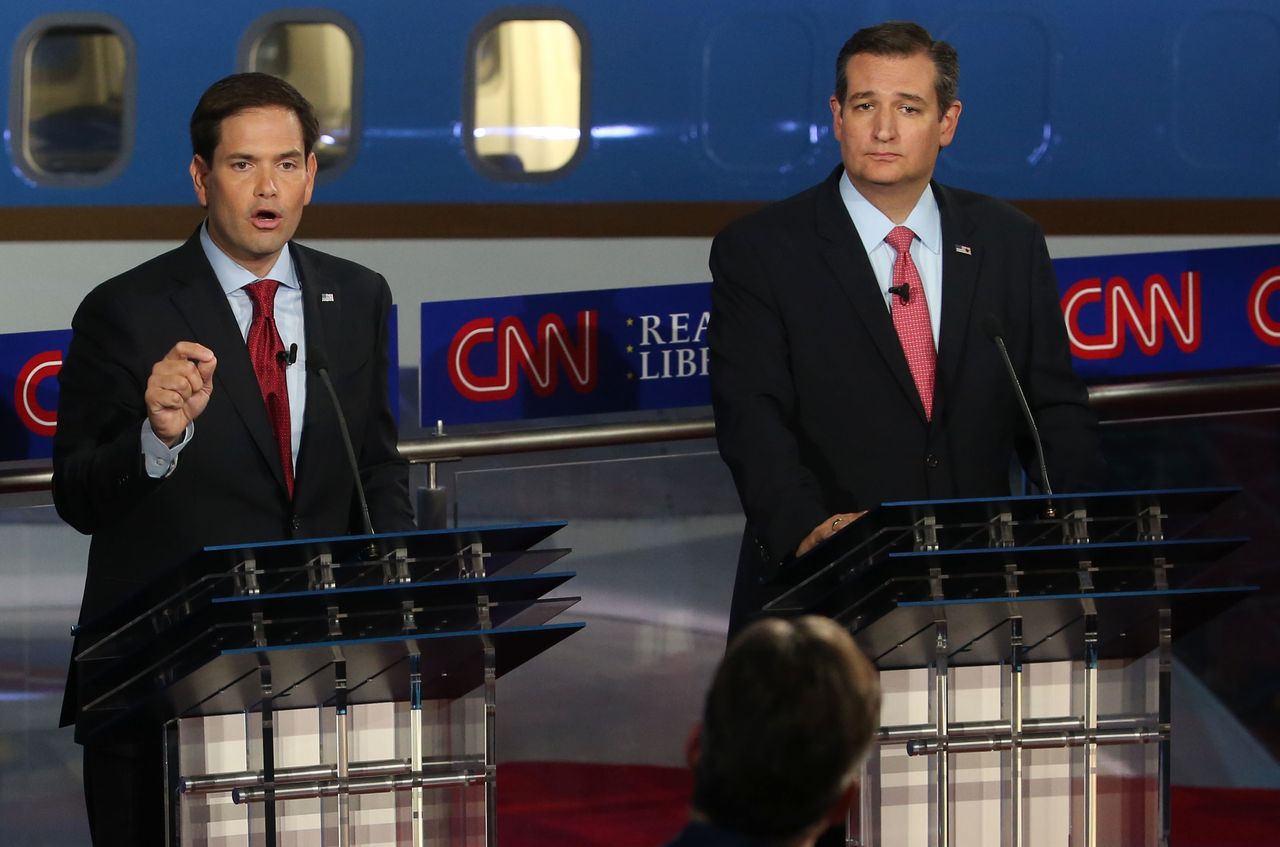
577 354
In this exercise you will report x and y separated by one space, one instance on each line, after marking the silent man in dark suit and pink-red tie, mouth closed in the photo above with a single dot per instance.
849 363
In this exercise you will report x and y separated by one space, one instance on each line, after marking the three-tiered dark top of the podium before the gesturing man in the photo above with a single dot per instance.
194 642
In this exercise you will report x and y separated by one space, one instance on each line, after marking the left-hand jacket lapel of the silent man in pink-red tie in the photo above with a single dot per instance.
853 272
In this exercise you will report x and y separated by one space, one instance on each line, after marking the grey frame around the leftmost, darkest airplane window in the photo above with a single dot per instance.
19 88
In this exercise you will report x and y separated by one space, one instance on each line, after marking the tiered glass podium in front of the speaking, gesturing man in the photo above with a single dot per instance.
330 690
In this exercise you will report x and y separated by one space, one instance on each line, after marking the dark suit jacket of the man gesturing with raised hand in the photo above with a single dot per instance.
228 486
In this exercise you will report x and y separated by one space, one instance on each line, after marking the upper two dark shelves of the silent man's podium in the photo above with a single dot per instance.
989 547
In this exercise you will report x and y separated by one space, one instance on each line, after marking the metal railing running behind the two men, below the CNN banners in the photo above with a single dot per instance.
1224 395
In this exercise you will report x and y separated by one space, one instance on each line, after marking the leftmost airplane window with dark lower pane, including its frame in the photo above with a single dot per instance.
75 112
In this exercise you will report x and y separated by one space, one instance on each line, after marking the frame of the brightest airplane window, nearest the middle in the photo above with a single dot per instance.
483 29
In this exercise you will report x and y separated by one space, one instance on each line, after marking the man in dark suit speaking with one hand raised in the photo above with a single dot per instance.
188 416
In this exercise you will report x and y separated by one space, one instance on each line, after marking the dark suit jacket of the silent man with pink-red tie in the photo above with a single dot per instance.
816 411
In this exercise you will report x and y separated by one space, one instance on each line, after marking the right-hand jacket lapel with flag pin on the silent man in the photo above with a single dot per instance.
961 263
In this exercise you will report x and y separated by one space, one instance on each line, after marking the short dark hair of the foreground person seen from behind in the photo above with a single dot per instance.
790 715
